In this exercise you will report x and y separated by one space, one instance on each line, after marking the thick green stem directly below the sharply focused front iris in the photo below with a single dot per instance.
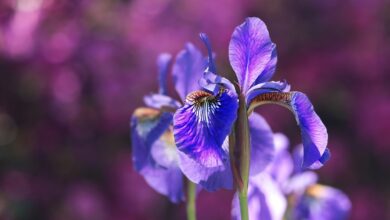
243 143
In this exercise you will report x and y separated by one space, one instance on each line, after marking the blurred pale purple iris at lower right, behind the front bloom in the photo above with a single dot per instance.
285 191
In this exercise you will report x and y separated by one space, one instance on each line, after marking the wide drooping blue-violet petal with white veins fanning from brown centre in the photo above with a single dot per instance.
200 129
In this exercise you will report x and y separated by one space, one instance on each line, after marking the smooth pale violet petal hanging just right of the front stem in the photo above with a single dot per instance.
262 143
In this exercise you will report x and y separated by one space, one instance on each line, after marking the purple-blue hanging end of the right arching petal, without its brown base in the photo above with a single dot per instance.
313 131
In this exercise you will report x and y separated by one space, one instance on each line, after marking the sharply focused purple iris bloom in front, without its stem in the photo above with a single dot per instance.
203 124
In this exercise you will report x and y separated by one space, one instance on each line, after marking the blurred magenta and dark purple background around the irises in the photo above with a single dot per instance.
73 71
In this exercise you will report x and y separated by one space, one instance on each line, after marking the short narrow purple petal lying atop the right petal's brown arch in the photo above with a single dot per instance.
266 87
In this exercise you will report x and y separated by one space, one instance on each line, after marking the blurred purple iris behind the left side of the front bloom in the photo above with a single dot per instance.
153 148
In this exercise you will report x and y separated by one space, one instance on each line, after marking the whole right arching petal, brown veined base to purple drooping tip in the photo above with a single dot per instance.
313 131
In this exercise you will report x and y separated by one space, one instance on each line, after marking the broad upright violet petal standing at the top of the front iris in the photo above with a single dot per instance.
250 52
